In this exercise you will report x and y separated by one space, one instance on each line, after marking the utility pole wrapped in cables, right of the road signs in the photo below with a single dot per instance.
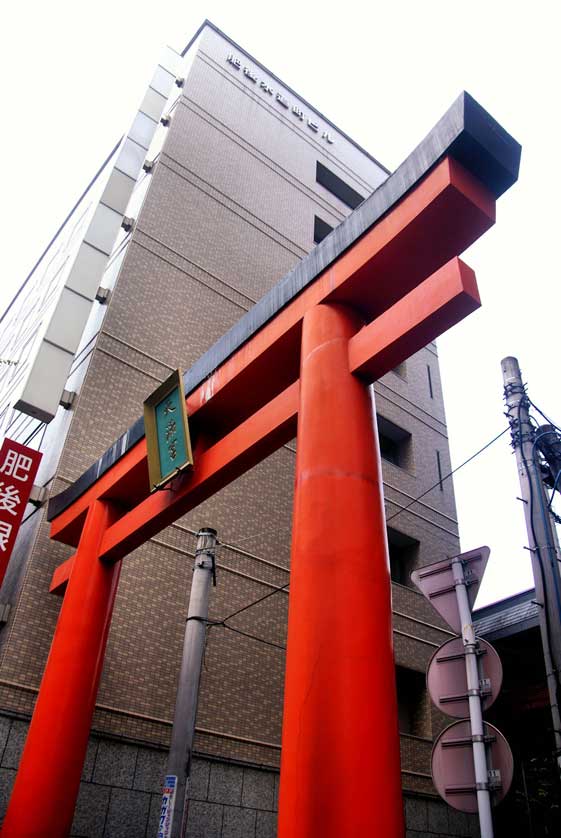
541 535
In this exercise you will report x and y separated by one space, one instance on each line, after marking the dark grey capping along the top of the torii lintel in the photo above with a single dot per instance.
466 132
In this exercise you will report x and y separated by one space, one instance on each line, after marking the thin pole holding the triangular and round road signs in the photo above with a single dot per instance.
474 698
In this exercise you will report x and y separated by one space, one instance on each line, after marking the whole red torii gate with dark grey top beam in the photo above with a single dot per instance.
383 285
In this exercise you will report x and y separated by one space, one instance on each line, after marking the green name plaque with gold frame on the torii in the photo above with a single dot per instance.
167 431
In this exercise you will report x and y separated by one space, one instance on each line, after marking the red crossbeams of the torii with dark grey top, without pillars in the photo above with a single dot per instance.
399 272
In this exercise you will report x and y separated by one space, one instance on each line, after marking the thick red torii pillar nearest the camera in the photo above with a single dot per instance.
340 768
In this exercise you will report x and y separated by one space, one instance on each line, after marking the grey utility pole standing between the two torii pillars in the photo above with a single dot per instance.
175 797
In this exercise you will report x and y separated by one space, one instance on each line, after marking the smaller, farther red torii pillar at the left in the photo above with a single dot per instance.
48 780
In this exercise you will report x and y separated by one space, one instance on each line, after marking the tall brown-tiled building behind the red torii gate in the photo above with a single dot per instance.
190 221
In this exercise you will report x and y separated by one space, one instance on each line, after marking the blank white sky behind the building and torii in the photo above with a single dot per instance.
73 74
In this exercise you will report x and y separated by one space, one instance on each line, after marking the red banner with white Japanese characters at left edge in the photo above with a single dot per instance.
18 468
